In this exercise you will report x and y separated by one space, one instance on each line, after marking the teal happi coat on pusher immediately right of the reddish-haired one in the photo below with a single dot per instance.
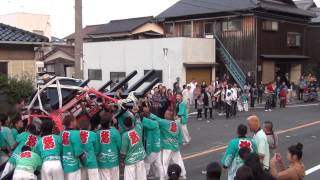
89 143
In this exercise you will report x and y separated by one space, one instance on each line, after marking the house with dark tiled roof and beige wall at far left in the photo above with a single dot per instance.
17 51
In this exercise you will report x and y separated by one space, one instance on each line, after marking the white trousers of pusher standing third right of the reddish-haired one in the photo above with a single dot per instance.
135 171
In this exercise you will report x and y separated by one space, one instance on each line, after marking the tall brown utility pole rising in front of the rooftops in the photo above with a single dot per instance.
78 41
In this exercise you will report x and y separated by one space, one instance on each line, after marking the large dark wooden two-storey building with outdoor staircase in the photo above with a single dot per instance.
256 39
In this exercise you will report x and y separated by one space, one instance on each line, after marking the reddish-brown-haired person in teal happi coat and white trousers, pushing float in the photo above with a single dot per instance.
71 149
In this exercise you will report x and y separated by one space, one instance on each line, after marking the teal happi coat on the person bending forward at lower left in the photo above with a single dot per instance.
28 161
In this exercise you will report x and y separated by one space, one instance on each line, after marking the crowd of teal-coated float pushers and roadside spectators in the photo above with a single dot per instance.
145 141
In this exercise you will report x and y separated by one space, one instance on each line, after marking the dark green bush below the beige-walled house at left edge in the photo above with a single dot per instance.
15 89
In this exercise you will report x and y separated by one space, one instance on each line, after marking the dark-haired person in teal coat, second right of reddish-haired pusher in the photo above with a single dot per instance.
109 142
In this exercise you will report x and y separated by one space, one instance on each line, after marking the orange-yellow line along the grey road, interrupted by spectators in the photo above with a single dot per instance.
216 149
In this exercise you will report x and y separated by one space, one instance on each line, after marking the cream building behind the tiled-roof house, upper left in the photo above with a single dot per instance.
36 23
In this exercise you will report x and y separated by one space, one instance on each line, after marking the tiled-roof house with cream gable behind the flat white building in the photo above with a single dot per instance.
124 29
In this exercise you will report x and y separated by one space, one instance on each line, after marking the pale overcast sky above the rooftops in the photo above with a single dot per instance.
94 11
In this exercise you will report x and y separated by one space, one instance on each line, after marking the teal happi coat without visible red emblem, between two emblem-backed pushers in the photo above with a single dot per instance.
151 136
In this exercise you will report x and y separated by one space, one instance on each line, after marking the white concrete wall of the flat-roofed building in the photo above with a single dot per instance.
140 55
